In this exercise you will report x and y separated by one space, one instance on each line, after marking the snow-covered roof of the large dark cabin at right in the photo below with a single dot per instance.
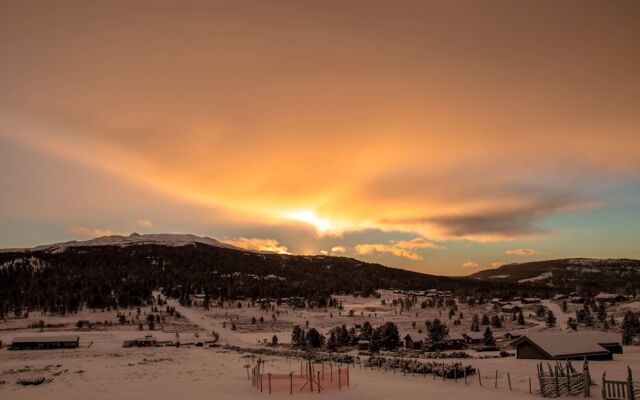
559 345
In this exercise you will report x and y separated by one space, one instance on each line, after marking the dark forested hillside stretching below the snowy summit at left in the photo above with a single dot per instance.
104 277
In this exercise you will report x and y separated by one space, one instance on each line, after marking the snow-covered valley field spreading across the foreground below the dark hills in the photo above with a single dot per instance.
106 370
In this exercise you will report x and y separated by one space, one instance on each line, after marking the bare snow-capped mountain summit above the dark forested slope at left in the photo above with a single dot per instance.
160 239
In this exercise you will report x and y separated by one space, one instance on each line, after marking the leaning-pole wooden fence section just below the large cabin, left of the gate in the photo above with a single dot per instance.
562 380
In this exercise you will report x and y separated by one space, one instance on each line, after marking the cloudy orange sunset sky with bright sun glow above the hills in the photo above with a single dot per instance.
442 137
